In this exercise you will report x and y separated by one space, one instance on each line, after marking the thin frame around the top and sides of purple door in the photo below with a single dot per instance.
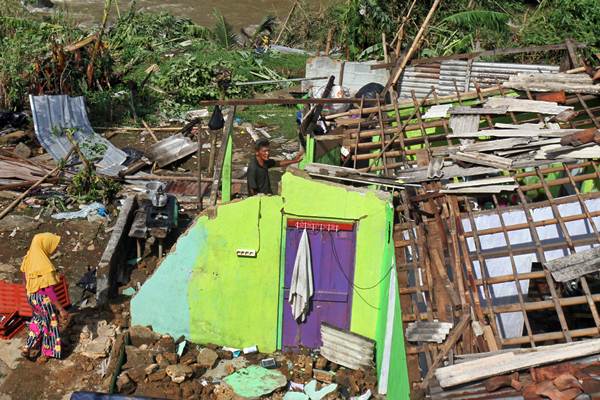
284 225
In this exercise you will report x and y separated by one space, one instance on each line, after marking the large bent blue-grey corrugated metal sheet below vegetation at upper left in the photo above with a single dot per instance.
53 114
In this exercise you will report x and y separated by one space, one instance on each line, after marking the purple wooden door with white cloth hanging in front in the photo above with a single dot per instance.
332 256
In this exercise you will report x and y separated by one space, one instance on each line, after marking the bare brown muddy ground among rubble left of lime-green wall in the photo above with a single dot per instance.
81 247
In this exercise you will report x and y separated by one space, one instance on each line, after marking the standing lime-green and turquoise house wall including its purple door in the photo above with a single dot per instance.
227 281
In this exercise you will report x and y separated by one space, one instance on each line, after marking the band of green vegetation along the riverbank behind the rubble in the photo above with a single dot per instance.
158 66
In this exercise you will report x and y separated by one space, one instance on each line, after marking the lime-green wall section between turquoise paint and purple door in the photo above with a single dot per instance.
235 299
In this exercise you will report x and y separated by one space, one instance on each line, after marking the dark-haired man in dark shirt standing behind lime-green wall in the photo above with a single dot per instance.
258 168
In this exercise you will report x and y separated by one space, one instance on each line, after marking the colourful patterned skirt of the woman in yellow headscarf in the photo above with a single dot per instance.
43 327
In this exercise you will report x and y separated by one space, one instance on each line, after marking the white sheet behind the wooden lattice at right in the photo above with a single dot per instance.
511 324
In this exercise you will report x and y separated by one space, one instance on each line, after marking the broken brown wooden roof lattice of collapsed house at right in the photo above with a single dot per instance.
445 268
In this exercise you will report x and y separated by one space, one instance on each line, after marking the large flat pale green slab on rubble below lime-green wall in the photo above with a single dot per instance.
255 381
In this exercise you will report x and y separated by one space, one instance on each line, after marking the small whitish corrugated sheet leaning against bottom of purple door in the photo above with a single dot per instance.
346 348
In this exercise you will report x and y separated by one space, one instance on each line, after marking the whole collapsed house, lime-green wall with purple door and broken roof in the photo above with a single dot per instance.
487 186
